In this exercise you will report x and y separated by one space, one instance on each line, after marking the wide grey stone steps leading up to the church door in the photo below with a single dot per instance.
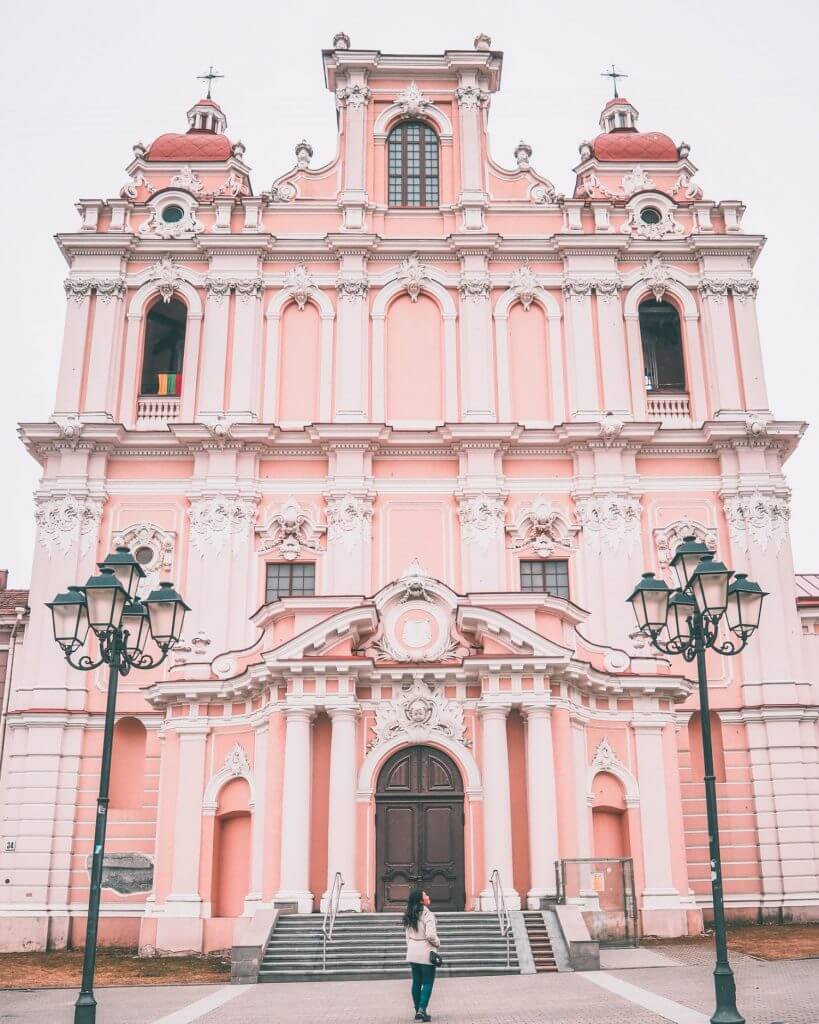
373 946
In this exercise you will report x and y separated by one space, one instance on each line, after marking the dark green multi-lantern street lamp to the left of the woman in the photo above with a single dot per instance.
122 625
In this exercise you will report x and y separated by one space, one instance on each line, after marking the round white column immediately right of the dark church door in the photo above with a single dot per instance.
497 805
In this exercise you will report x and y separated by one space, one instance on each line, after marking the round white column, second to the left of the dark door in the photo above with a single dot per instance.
296 810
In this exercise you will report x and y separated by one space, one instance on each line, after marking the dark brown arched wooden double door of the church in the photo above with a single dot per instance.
420 830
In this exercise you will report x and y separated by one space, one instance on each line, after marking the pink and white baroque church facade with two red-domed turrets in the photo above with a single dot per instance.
406 430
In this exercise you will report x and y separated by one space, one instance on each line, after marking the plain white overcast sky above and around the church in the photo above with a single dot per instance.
737 79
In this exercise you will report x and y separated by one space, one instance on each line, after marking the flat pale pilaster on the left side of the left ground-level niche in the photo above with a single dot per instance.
181 927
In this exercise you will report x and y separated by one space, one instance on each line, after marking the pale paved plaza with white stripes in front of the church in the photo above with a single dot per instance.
783 993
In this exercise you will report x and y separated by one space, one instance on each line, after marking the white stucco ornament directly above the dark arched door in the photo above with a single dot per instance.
420 713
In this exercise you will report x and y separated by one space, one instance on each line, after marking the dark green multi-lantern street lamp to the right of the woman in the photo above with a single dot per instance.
687 622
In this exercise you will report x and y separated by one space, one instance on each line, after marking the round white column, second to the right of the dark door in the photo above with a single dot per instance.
542 803
